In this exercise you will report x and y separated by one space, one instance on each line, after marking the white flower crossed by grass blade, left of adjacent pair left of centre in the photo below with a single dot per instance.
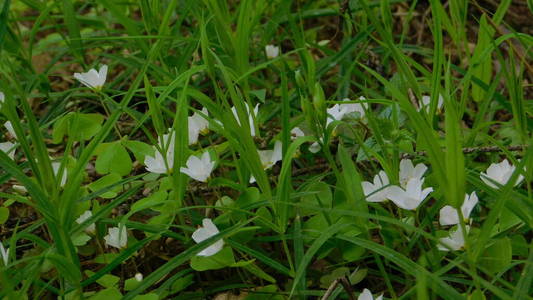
156 164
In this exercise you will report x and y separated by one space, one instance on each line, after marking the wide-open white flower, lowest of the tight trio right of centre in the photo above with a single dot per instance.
411 197
